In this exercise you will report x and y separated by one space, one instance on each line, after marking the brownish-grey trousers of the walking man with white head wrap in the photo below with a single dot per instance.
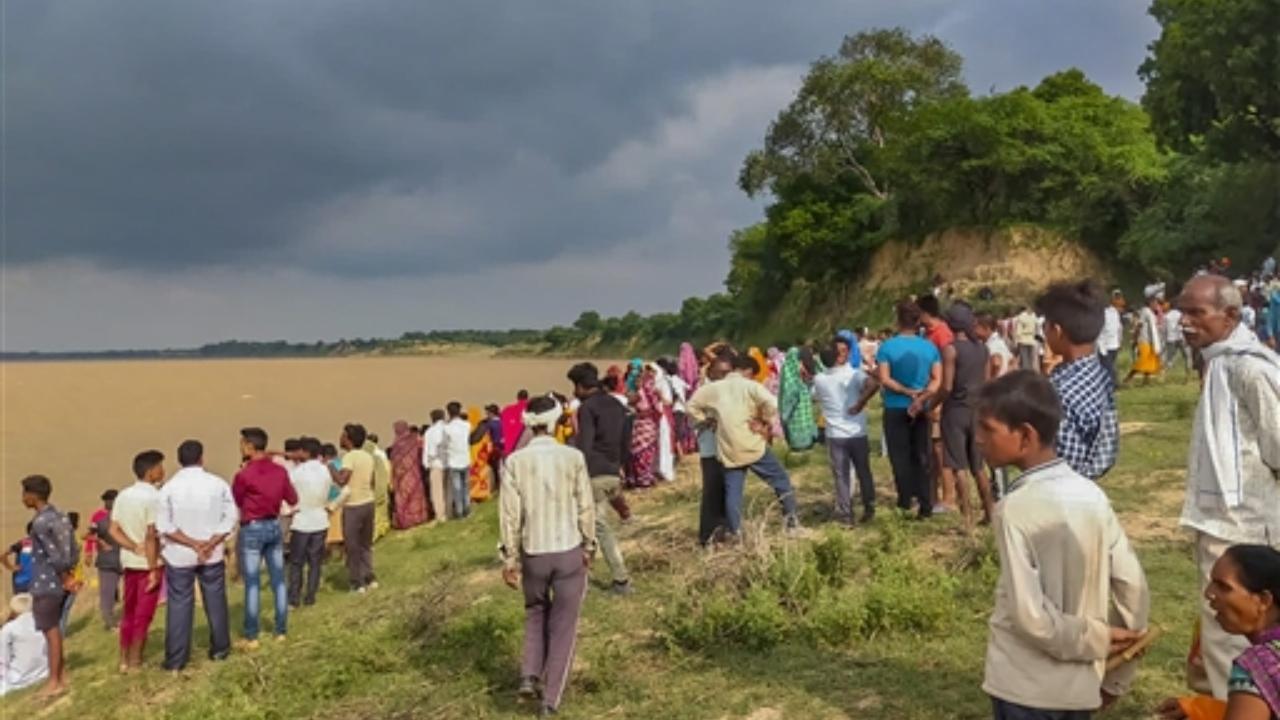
555 587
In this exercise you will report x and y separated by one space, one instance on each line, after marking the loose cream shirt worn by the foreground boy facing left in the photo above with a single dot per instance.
1063 559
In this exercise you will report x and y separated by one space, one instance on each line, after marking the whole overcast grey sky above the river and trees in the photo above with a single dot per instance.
180 174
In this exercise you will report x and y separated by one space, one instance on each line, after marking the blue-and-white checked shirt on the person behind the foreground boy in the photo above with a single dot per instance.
1089 438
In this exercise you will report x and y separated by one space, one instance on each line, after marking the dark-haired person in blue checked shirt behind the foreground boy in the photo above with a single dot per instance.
1089 438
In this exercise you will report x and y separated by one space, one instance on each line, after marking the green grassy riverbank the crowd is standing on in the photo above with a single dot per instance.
883 622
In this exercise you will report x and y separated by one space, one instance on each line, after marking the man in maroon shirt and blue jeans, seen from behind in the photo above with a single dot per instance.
262 489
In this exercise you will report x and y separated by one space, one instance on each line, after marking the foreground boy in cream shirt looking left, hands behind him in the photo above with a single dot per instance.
1064 560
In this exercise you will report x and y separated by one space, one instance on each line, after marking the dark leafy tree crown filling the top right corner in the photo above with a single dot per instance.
1212 78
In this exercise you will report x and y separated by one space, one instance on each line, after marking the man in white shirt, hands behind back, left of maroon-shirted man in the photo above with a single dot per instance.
196 513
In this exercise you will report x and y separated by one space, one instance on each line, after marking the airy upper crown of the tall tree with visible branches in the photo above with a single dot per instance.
849 108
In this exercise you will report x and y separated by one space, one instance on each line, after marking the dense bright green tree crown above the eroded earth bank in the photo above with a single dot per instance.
1064 154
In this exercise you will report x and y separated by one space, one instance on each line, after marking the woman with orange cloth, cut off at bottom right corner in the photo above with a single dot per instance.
1245 594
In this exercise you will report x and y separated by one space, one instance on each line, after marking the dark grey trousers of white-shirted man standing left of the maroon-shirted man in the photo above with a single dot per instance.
181 613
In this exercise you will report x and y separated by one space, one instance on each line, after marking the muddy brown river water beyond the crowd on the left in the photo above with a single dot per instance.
83 423
